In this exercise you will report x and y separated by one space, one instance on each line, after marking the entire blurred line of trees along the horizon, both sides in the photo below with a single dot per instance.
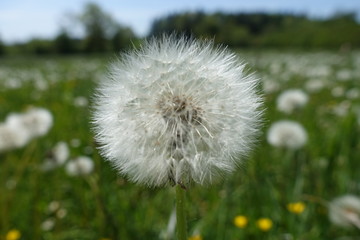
102 33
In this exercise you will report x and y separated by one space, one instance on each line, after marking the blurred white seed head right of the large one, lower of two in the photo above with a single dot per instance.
287 134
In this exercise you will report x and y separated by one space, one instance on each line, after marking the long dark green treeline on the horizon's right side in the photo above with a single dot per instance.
264 29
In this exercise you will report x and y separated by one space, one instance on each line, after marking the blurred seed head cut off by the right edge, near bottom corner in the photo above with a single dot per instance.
344 211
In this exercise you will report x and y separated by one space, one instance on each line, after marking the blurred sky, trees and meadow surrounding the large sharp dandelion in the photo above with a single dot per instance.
302 181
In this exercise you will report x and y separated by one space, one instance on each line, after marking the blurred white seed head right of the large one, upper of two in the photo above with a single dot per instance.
291 100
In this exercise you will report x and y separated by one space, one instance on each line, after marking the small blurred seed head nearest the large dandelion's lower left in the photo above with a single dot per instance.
79 166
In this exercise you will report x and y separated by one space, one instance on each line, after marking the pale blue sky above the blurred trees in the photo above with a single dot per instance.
24 19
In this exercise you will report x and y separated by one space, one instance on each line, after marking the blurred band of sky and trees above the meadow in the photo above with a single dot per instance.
49 27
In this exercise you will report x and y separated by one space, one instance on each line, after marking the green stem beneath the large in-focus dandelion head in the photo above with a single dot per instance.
180 213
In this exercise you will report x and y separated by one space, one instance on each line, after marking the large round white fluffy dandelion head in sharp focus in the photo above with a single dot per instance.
176 111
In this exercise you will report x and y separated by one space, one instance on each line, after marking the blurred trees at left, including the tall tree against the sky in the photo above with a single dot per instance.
101 34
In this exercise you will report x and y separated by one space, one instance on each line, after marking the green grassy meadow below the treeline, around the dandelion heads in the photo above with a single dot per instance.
50 203
